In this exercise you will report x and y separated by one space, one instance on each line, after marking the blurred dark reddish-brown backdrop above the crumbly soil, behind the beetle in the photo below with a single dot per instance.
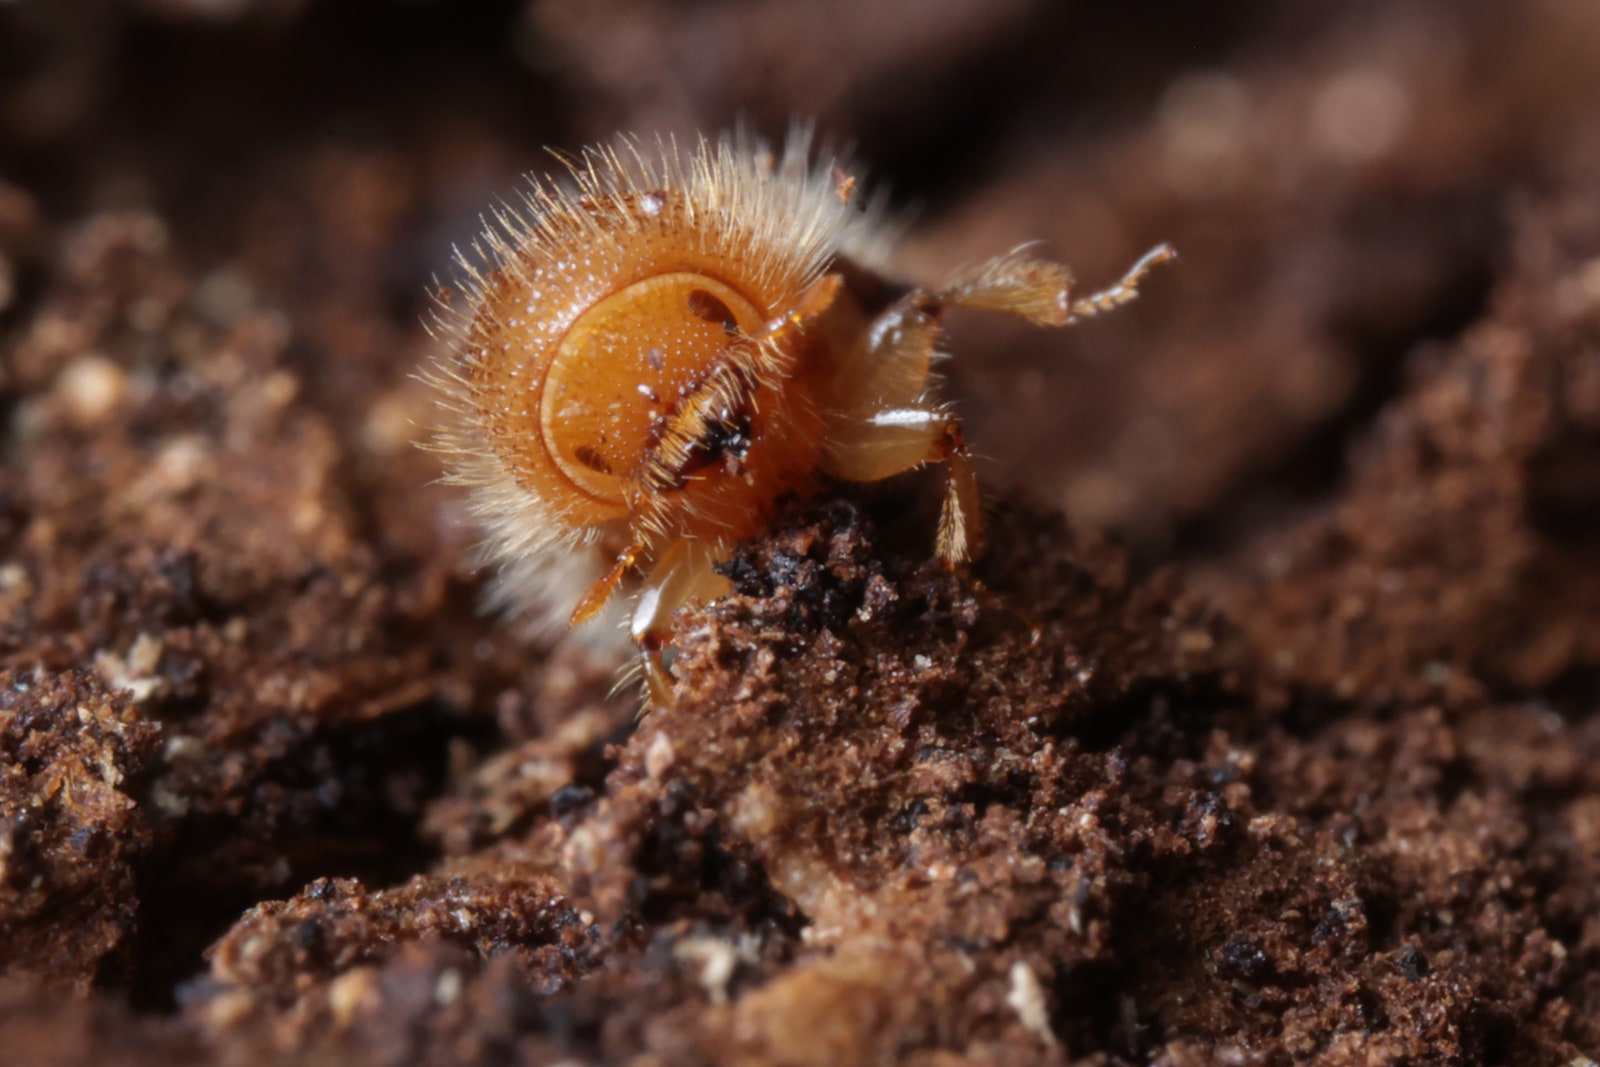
1337 178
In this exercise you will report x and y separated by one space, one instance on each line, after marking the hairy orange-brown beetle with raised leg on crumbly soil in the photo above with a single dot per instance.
658 353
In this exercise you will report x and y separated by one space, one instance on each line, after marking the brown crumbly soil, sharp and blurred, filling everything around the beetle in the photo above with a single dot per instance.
1266 732
